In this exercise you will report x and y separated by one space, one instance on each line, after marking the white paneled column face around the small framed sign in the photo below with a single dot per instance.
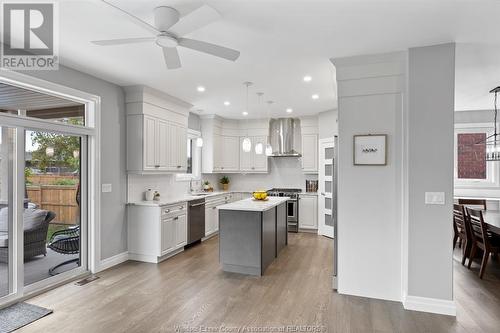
371 91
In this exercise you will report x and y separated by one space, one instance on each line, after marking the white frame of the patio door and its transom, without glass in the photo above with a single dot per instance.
91 136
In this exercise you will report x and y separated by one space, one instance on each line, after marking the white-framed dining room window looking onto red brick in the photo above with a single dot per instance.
471 168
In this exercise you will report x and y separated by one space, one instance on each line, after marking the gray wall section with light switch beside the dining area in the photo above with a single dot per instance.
431 87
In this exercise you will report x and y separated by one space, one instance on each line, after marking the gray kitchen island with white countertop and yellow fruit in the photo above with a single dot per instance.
251 234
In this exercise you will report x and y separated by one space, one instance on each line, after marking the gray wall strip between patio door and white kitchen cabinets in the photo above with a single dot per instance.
113 152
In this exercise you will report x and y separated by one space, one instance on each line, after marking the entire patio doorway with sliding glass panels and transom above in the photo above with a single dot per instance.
47 171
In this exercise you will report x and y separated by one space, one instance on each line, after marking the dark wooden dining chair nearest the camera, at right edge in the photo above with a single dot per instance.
482 239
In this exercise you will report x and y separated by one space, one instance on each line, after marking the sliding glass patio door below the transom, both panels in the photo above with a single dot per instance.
43 209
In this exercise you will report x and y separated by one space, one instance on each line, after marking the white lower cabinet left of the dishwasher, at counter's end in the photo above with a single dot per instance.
156 233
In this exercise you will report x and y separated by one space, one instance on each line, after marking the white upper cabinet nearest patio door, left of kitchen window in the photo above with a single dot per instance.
156 131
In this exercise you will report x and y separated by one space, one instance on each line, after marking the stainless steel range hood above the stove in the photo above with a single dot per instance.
284 137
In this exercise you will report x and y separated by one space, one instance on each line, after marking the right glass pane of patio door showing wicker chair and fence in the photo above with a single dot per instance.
54 226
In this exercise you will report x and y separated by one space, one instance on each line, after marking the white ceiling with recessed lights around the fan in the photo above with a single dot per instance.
280 42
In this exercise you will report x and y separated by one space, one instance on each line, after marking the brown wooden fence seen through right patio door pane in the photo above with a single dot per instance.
61 199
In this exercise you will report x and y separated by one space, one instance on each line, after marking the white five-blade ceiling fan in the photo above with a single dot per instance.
168 27
